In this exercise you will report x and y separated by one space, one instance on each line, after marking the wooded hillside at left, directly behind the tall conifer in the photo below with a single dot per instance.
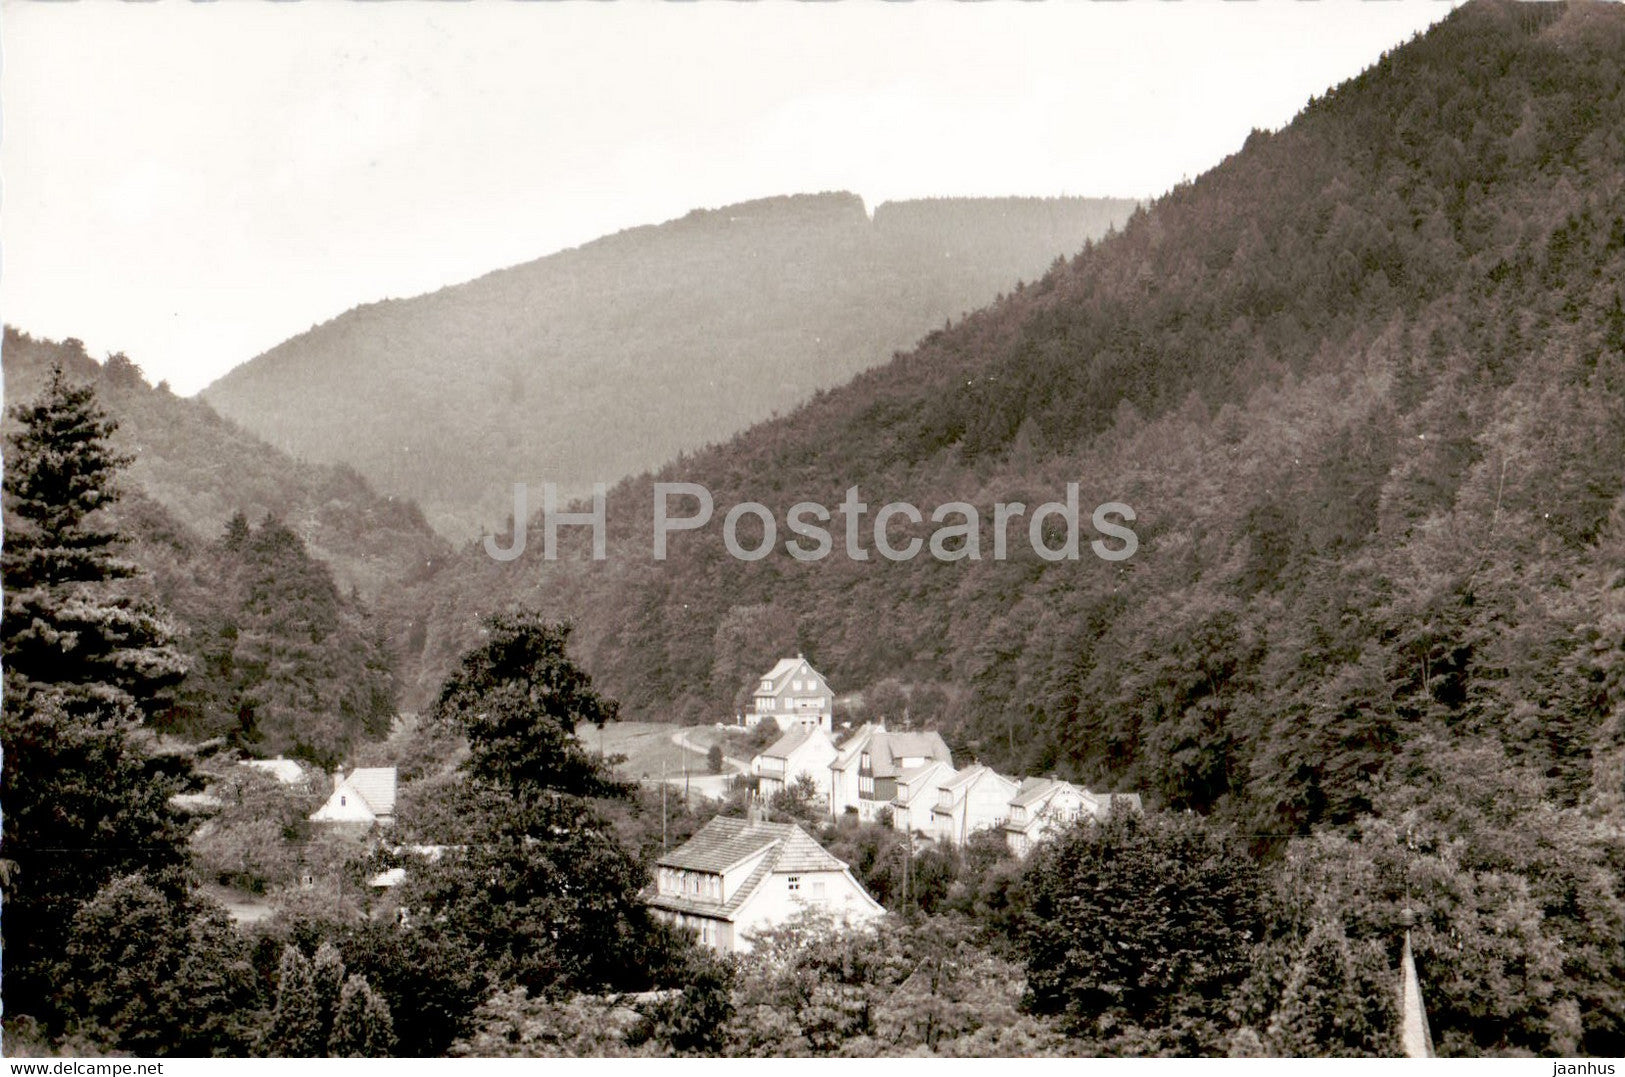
269 569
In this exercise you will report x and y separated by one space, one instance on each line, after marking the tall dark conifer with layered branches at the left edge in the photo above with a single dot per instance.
85 662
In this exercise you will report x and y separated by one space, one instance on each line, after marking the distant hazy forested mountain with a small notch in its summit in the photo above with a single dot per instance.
612 358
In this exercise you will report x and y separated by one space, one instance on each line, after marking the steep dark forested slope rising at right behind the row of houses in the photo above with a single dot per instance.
1364 384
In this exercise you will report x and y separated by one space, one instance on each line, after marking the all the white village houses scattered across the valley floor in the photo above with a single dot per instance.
753 867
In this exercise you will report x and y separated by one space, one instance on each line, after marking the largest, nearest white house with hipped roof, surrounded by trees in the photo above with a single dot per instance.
739 876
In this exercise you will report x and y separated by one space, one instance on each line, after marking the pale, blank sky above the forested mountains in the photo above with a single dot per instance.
193 184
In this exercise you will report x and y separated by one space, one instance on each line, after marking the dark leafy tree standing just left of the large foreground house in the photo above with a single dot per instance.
542 888
